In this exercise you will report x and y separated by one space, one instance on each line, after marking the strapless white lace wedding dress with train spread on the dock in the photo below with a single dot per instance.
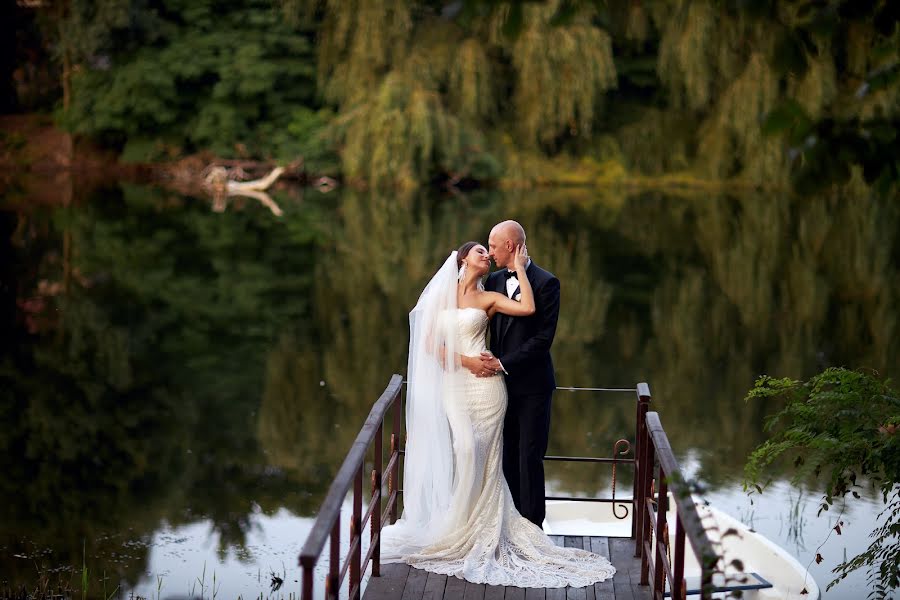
479 535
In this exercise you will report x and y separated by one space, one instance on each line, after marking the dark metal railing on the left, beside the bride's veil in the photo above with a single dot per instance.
328 521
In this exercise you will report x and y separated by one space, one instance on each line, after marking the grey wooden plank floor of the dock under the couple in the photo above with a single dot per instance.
401 582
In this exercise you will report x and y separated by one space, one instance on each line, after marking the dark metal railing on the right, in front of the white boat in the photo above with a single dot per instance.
656 463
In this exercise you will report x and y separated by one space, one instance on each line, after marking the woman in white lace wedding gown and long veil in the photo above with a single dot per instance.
458 517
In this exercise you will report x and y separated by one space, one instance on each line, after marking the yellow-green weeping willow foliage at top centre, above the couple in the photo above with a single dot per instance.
415 88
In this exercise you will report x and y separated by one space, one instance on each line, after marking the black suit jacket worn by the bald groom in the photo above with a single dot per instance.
523 343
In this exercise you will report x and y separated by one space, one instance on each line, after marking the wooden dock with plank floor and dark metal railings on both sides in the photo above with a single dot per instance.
656 473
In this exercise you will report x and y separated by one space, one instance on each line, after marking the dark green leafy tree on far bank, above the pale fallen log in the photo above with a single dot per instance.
211 75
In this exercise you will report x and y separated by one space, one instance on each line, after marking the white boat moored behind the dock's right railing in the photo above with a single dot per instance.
768 571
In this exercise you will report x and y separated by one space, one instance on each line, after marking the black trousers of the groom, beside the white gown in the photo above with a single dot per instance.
526 430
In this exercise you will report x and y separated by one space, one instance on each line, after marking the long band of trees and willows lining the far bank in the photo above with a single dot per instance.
415 90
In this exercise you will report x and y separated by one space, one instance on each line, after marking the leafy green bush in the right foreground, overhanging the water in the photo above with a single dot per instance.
843 426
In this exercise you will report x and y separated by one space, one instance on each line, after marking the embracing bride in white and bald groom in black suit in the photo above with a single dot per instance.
477 424
